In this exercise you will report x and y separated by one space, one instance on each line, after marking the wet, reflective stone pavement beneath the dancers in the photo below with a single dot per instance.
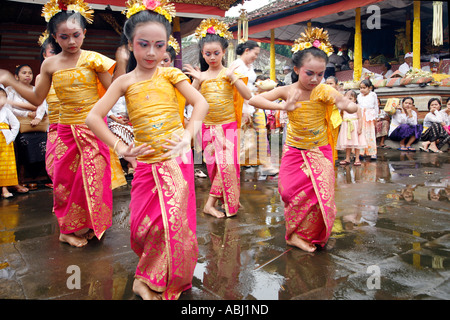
390 241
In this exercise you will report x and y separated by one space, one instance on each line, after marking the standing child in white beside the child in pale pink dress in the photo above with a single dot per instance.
368 102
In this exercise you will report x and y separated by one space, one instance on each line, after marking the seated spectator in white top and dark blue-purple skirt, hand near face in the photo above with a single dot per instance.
404 126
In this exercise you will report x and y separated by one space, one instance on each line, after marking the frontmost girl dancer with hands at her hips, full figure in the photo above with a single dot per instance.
163 207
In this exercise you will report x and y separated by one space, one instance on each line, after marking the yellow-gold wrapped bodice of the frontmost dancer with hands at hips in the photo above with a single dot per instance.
153 110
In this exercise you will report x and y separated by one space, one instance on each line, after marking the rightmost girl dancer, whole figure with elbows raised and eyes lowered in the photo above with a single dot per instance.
306 178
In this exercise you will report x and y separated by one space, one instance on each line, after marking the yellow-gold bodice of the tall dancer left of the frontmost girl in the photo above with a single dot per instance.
77 88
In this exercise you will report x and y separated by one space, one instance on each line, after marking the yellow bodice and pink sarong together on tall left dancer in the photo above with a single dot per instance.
82 171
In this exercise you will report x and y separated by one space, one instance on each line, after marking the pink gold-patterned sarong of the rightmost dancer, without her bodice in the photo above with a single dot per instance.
310 209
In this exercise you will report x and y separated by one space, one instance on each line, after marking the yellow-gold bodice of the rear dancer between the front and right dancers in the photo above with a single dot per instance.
219 94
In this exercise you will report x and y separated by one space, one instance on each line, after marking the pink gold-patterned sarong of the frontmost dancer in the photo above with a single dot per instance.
163 224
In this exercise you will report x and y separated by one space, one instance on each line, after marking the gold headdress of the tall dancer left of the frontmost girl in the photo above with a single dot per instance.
53 7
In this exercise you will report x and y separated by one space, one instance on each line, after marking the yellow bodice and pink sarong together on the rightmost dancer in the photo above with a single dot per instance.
306 177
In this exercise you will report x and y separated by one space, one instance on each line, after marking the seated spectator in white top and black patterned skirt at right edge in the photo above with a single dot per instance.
434 135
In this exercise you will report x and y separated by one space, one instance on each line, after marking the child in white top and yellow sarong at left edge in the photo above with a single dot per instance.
9 128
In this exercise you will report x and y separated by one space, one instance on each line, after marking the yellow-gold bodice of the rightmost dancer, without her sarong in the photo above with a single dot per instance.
311 124
